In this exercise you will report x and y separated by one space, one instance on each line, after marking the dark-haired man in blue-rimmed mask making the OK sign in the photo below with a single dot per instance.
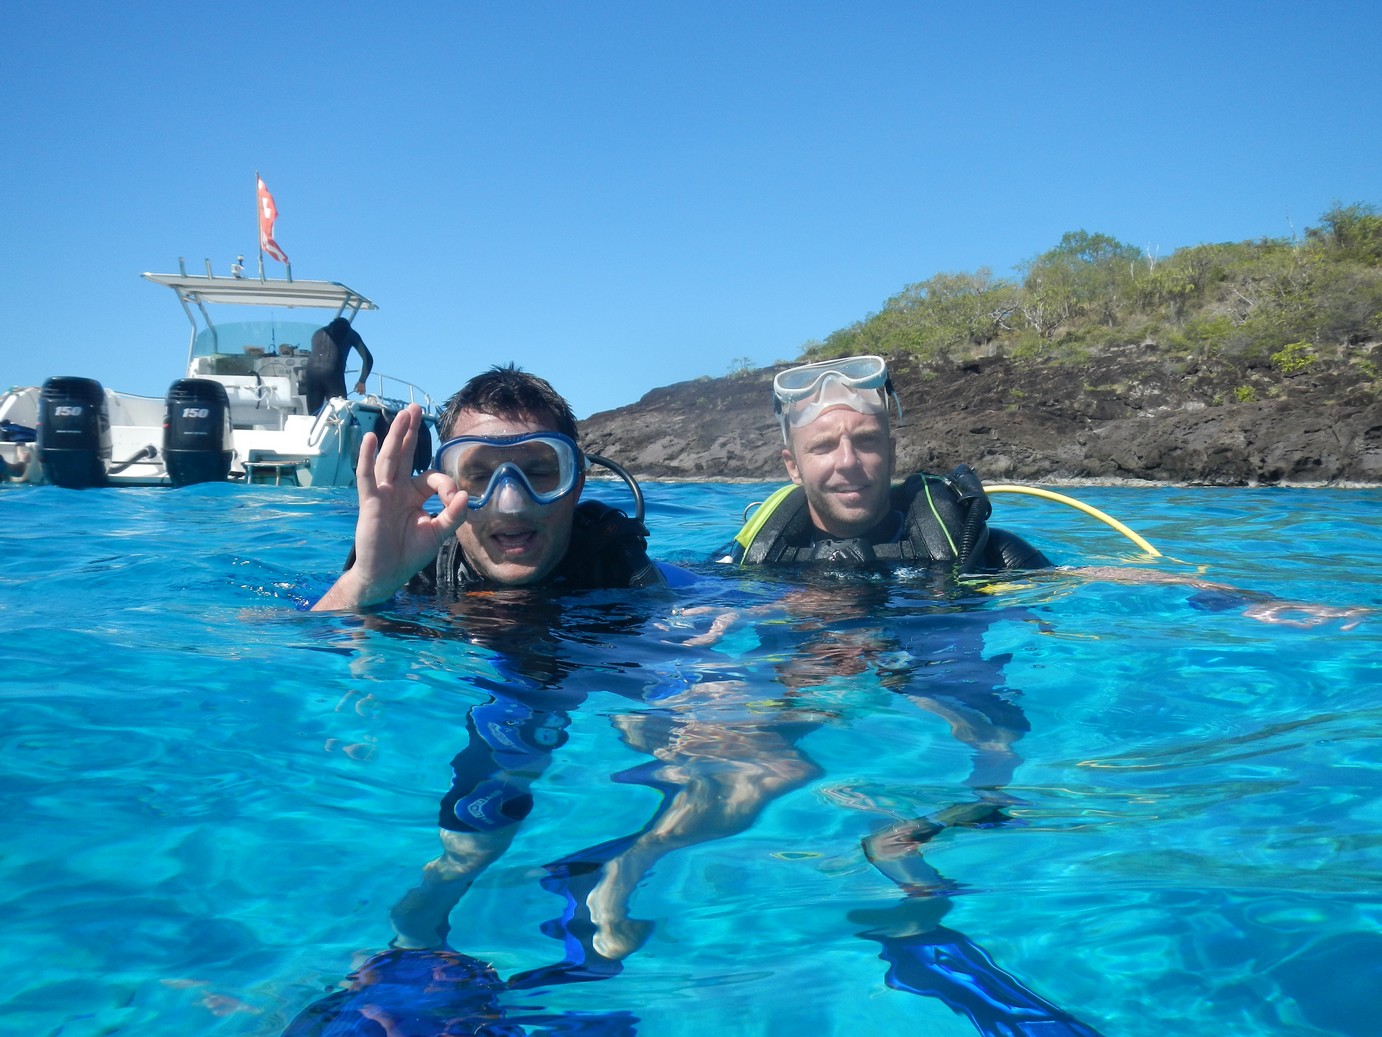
509 478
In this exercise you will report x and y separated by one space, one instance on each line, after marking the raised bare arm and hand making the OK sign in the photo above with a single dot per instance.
395 536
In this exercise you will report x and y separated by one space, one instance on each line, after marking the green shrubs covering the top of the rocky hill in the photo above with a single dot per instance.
1239 302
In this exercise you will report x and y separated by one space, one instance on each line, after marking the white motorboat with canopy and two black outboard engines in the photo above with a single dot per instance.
240 413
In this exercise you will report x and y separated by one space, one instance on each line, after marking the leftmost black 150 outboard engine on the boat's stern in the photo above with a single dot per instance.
74 432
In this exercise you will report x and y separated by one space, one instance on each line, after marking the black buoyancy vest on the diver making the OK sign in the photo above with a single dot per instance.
609 550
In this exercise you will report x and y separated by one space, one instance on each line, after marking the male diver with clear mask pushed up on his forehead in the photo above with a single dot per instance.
844 512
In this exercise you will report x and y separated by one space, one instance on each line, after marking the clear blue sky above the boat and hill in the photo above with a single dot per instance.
623 196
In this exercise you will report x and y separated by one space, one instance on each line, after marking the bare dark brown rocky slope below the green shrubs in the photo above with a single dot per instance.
1126 415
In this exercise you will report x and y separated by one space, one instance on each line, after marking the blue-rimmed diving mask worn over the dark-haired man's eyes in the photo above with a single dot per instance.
545 465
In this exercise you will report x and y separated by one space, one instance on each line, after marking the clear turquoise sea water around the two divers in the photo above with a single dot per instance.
214 798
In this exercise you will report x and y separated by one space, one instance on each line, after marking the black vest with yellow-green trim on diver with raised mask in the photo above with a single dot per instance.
945 521
